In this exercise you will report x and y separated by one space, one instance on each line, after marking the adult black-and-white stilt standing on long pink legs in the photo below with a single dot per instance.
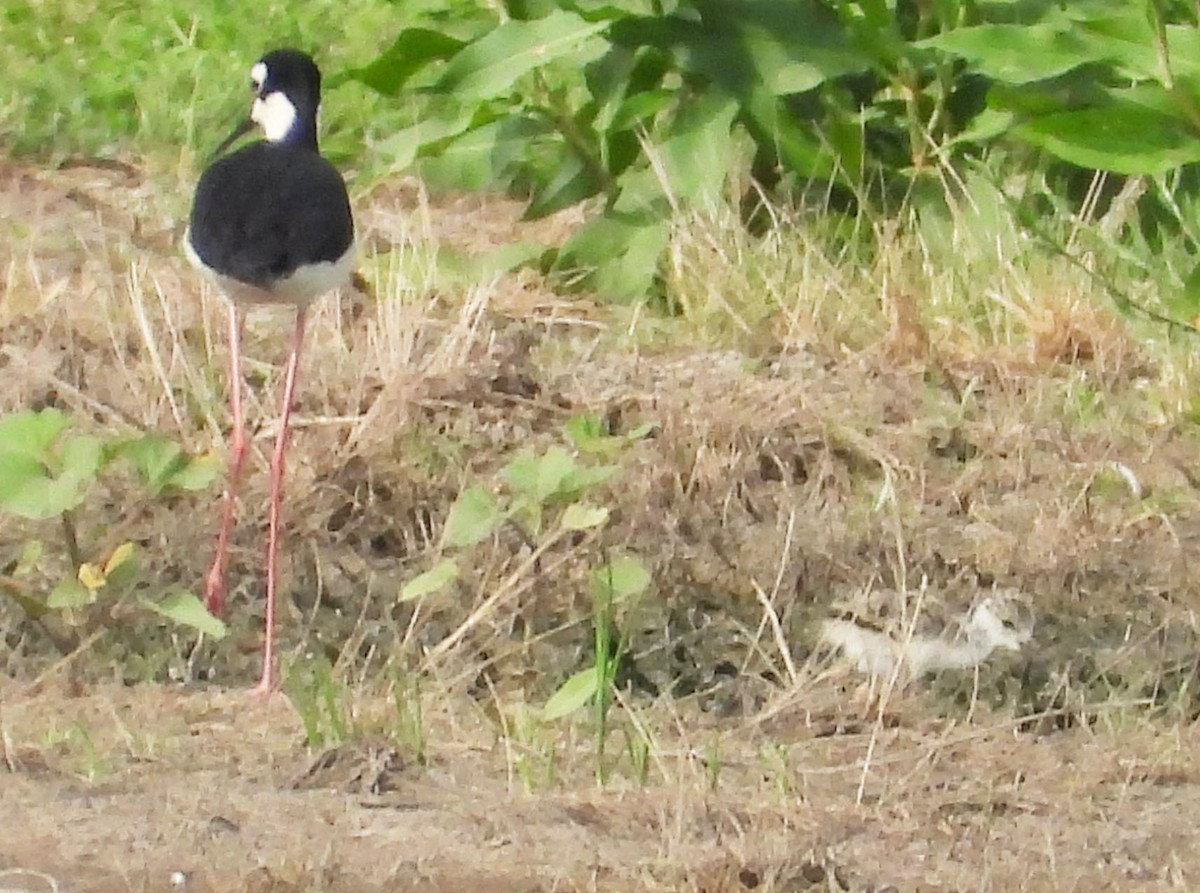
271 224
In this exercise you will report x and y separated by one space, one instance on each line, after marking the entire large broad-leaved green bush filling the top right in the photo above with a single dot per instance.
653 112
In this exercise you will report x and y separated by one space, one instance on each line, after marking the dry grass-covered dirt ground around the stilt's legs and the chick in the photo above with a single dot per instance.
1070 766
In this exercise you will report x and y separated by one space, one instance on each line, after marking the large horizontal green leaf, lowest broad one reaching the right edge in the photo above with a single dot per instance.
1126 140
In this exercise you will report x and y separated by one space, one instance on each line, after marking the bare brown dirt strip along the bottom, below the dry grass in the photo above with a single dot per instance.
218 792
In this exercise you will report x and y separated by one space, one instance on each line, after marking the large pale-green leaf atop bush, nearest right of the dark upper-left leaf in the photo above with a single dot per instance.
490 67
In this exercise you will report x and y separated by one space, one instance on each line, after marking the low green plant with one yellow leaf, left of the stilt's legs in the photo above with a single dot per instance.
47 474
